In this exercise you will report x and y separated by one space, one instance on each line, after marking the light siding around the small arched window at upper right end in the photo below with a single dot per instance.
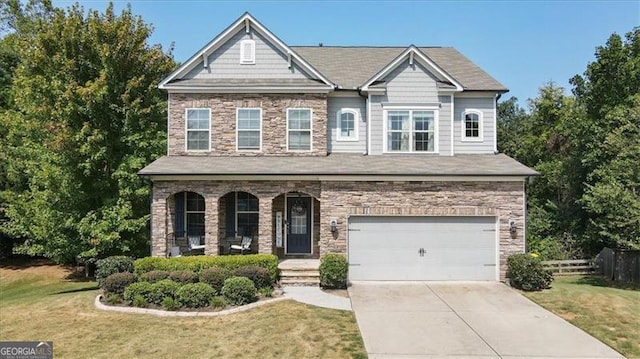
484 104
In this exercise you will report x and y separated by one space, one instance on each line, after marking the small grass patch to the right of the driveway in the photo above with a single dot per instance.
607 310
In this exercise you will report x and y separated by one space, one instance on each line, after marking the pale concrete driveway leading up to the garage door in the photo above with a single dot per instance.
461 320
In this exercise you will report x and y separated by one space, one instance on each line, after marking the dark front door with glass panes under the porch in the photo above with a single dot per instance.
299 225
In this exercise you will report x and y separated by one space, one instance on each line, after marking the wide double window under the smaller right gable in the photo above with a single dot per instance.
411 131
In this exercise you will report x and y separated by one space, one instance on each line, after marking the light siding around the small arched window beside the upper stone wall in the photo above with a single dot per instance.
335 104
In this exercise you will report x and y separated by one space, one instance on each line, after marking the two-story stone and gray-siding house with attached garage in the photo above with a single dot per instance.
385 154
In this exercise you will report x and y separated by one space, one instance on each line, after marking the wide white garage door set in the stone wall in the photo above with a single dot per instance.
422 248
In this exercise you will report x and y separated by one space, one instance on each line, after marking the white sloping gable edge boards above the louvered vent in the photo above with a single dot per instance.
245 23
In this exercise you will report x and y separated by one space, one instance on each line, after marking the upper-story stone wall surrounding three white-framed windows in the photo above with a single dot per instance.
223 122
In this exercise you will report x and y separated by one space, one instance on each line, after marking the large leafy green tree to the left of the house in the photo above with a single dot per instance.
85 117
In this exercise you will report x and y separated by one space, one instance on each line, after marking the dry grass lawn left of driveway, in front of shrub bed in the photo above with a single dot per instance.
40 303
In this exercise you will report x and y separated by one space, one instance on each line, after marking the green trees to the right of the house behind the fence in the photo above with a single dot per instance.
587 150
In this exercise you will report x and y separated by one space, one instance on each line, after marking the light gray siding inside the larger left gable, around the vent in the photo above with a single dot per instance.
224 62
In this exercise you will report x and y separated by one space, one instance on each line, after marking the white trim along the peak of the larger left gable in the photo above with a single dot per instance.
242 24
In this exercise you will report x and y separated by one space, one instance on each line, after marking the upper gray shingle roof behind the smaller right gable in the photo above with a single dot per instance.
351 67
